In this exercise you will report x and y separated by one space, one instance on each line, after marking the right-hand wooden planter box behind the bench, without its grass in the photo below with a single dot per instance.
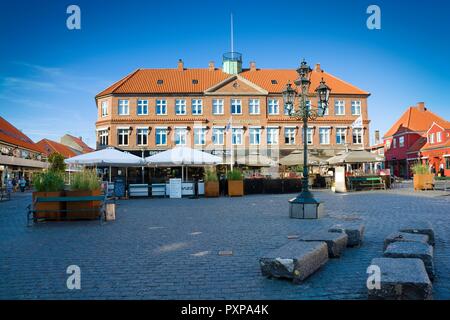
72 207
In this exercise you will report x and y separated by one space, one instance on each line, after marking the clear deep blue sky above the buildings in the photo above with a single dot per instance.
49 75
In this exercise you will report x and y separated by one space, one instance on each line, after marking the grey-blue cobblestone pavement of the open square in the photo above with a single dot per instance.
168 249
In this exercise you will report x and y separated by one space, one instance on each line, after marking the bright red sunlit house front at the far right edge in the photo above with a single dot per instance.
436 151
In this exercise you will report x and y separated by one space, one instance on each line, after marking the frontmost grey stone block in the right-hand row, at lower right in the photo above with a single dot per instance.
401 279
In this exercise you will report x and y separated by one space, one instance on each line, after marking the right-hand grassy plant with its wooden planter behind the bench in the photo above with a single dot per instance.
85 183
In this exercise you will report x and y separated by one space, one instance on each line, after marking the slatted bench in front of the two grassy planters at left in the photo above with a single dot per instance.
101 209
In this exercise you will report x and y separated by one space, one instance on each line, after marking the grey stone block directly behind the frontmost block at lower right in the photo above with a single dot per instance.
417 250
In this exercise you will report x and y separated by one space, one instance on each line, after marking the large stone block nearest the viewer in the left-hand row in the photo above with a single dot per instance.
295 260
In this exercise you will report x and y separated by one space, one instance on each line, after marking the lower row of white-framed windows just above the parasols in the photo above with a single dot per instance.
237 136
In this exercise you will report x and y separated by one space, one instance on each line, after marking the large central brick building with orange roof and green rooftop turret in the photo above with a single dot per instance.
214 109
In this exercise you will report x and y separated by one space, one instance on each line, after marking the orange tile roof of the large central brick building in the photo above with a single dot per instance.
180 81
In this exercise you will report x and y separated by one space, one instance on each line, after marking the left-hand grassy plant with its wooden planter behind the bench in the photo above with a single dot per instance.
48 184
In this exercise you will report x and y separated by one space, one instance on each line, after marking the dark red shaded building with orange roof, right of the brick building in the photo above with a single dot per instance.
404 141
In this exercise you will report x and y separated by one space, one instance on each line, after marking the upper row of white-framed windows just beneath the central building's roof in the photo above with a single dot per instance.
273 107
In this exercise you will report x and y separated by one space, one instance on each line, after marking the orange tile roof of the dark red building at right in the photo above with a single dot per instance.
414 119
